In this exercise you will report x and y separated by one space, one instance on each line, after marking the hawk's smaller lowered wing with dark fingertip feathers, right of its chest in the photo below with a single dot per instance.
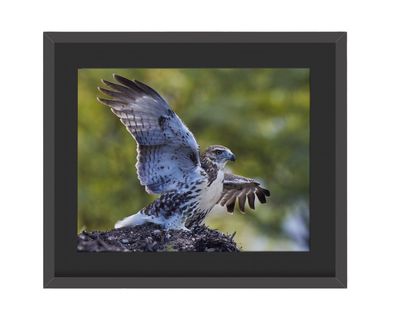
237 187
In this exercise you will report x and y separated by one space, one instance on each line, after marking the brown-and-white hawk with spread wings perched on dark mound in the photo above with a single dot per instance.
169 162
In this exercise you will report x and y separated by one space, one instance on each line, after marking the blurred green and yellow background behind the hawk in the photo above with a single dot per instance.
262 115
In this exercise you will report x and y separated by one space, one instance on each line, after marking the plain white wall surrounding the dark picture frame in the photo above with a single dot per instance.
374 157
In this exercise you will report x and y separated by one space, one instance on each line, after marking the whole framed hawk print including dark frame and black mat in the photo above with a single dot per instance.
195 159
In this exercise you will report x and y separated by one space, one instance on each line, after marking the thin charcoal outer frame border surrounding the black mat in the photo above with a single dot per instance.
338 39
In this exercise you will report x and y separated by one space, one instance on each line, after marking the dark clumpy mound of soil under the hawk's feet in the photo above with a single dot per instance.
150 238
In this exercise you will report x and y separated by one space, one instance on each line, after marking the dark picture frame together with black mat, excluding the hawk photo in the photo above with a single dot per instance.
325 265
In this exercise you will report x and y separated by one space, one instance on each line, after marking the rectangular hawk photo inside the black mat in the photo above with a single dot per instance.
193 160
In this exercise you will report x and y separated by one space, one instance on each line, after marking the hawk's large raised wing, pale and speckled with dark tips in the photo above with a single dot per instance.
167 150
